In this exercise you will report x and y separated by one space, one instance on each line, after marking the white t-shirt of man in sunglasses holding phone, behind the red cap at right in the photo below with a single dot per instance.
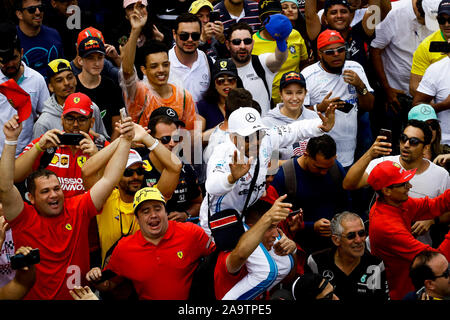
430 183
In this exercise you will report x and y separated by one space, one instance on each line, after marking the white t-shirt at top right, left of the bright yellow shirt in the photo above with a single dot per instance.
399 34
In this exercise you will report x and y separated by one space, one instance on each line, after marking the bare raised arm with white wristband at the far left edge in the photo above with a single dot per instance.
9 195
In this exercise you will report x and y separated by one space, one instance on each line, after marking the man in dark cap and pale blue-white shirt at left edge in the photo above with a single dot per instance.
29 80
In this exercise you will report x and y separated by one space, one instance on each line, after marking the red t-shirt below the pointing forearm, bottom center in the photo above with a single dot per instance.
223 280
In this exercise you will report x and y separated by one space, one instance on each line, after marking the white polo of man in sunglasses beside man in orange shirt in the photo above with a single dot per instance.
195 80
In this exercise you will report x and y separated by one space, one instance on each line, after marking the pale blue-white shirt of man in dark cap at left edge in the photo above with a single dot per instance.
34 84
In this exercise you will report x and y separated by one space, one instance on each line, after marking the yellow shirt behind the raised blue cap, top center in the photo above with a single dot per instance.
297 52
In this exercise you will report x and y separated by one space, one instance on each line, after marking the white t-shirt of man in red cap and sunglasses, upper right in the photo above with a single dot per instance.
319 83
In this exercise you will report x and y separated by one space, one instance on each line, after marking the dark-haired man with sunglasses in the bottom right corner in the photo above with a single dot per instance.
429 273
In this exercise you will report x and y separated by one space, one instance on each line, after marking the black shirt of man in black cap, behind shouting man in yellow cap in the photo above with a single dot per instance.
186 190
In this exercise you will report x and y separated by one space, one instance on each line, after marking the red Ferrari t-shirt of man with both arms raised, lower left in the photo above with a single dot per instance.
63 245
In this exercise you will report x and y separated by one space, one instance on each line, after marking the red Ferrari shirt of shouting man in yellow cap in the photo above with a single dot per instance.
164 271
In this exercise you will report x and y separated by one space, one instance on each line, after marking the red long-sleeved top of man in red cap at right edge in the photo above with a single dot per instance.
391 239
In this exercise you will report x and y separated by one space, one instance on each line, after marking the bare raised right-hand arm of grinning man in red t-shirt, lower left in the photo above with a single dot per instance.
115 167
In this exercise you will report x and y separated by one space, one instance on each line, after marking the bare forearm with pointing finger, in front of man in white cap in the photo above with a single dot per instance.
253 237
